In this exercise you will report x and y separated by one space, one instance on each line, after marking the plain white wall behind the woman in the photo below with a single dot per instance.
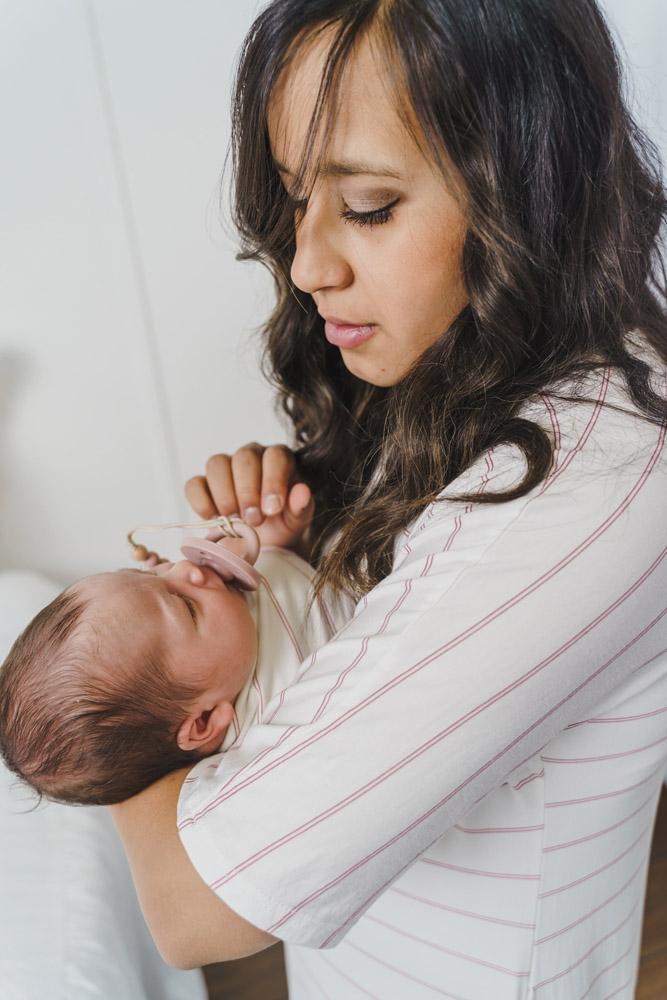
127 330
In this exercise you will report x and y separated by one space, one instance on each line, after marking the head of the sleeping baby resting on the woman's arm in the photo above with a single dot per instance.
123 678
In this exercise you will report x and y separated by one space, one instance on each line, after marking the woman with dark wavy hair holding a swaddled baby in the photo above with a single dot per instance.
456 798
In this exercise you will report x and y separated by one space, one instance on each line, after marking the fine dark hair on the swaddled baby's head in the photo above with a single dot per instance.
78 727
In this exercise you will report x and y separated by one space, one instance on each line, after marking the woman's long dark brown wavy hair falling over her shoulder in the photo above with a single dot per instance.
521 105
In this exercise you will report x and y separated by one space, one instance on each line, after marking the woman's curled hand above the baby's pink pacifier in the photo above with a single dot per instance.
244 484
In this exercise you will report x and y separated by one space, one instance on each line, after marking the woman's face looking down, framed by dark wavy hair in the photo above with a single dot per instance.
402 275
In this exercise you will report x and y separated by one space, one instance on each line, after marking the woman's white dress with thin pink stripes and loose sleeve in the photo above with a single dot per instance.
456 798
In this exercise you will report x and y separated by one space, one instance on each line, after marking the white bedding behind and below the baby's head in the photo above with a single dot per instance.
70 924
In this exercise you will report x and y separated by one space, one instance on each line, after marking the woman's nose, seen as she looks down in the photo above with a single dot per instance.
318 262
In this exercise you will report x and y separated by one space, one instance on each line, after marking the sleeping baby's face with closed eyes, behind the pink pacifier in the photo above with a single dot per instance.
202 624
